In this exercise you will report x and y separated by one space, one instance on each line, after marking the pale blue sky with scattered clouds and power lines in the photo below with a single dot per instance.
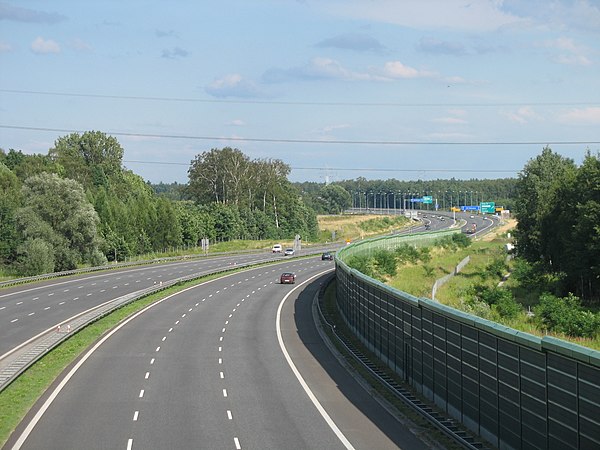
337 89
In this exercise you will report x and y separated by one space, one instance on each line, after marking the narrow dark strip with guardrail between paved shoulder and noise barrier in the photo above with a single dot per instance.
447 426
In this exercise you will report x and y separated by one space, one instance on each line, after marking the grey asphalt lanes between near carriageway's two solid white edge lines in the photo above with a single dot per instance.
202 369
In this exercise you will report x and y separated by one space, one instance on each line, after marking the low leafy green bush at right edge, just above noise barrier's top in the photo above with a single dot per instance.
565 315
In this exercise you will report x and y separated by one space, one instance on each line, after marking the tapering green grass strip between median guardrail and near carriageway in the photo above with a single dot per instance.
18 397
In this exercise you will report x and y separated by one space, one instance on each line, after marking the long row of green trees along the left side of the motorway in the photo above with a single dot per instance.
79 205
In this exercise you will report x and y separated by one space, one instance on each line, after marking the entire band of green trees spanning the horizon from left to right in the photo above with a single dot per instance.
78 205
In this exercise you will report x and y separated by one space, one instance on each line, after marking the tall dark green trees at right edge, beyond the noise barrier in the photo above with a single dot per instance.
558 211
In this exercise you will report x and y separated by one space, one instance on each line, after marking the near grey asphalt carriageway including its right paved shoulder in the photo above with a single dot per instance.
211 367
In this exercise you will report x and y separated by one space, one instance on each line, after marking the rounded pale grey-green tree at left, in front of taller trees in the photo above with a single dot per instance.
57 211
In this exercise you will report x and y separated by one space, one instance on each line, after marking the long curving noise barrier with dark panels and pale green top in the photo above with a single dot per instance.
516 390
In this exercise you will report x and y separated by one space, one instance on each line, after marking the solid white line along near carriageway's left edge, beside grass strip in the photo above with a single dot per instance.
36 418
